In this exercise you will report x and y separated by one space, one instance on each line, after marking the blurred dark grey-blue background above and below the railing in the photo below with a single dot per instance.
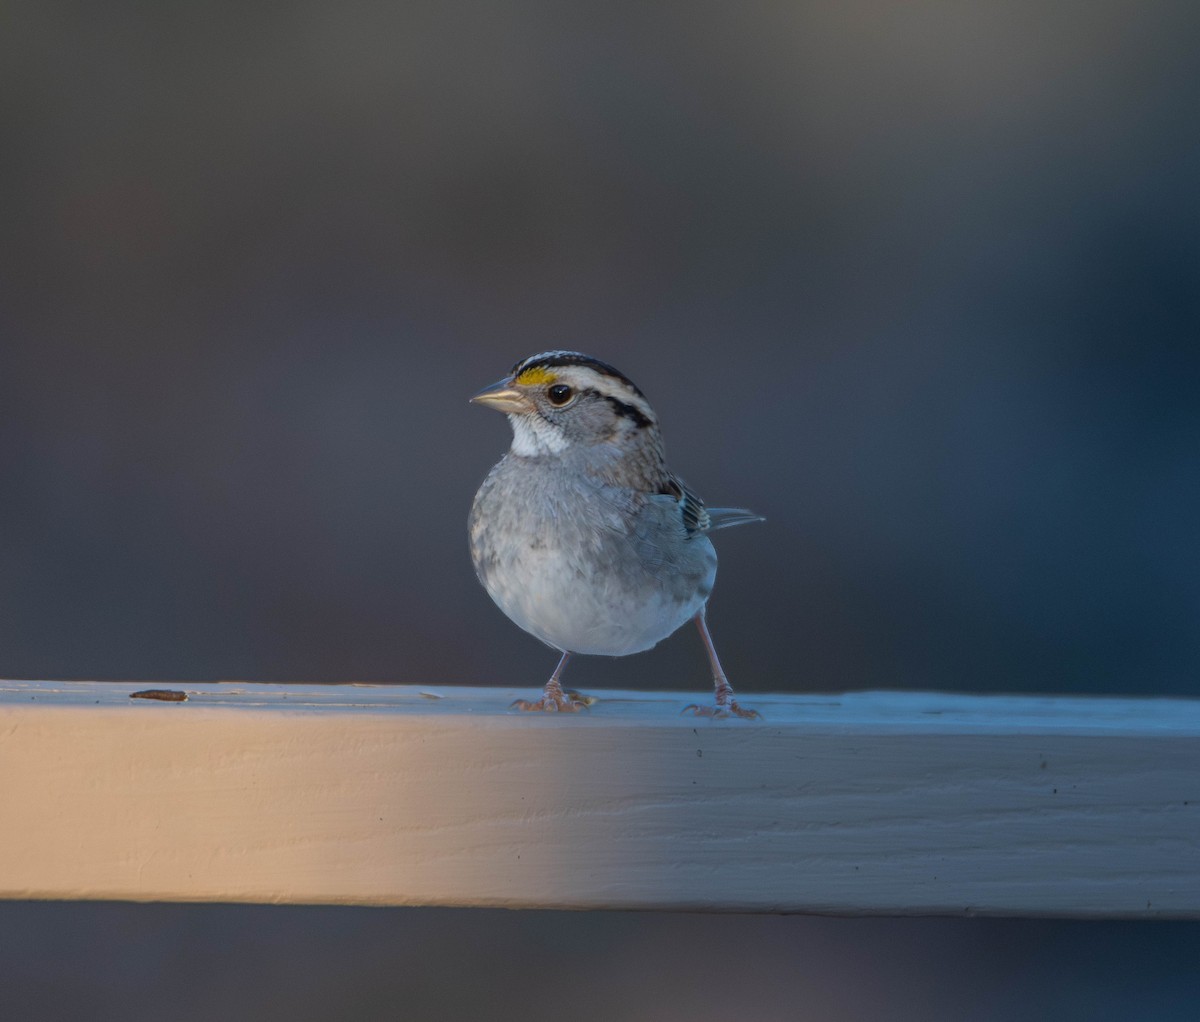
920 282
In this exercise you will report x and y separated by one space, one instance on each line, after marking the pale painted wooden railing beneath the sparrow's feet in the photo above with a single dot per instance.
889 803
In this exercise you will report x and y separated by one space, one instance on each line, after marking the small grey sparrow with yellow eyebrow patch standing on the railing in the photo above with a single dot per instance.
583 536
